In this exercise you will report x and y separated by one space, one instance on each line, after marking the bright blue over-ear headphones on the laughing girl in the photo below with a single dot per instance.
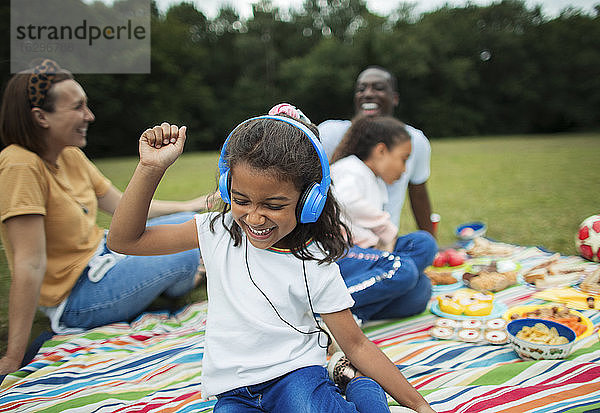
312 200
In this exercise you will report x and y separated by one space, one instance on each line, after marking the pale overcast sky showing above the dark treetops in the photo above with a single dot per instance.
382 7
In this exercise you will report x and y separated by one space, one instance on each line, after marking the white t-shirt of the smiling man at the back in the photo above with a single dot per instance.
417 171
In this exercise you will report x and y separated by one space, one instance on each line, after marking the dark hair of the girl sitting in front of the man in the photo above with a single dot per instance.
366 132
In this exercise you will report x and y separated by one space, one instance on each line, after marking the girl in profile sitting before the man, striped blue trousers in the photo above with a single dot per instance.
383 273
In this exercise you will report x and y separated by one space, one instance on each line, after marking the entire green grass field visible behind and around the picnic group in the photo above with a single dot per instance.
530 190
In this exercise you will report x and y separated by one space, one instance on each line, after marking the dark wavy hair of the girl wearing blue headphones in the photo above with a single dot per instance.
286 152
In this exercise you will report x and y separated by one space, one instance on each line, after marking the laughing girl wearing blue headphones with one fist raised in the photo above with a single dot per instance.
269 257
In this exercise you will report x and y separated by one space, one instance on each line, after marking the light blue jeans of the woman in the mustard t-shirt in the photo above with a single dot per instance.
129 287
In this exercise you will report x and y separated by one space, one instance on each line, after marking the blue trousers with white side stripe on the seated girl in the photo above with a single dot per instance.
390 285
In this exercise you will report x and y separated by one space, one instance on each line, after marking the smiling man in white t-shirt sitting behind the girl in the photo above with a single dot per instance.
375 95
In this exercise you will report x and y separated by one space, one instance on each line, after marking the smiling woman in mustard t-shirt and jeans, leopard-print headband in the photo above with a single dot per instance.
56 253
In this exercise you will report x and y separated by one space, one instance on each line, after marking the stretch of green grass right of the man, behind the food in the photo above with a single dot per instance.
530 190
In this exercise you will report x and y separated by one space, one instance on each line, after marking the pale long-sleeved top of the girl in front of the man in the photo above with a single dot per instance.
362 196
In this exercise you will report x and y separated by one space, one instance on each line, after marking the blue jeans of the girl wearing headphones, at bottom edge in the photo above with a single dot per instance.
305 390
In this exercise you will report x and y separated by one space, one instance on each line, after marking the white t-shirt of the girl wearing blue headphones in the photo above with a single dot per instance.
246 341
